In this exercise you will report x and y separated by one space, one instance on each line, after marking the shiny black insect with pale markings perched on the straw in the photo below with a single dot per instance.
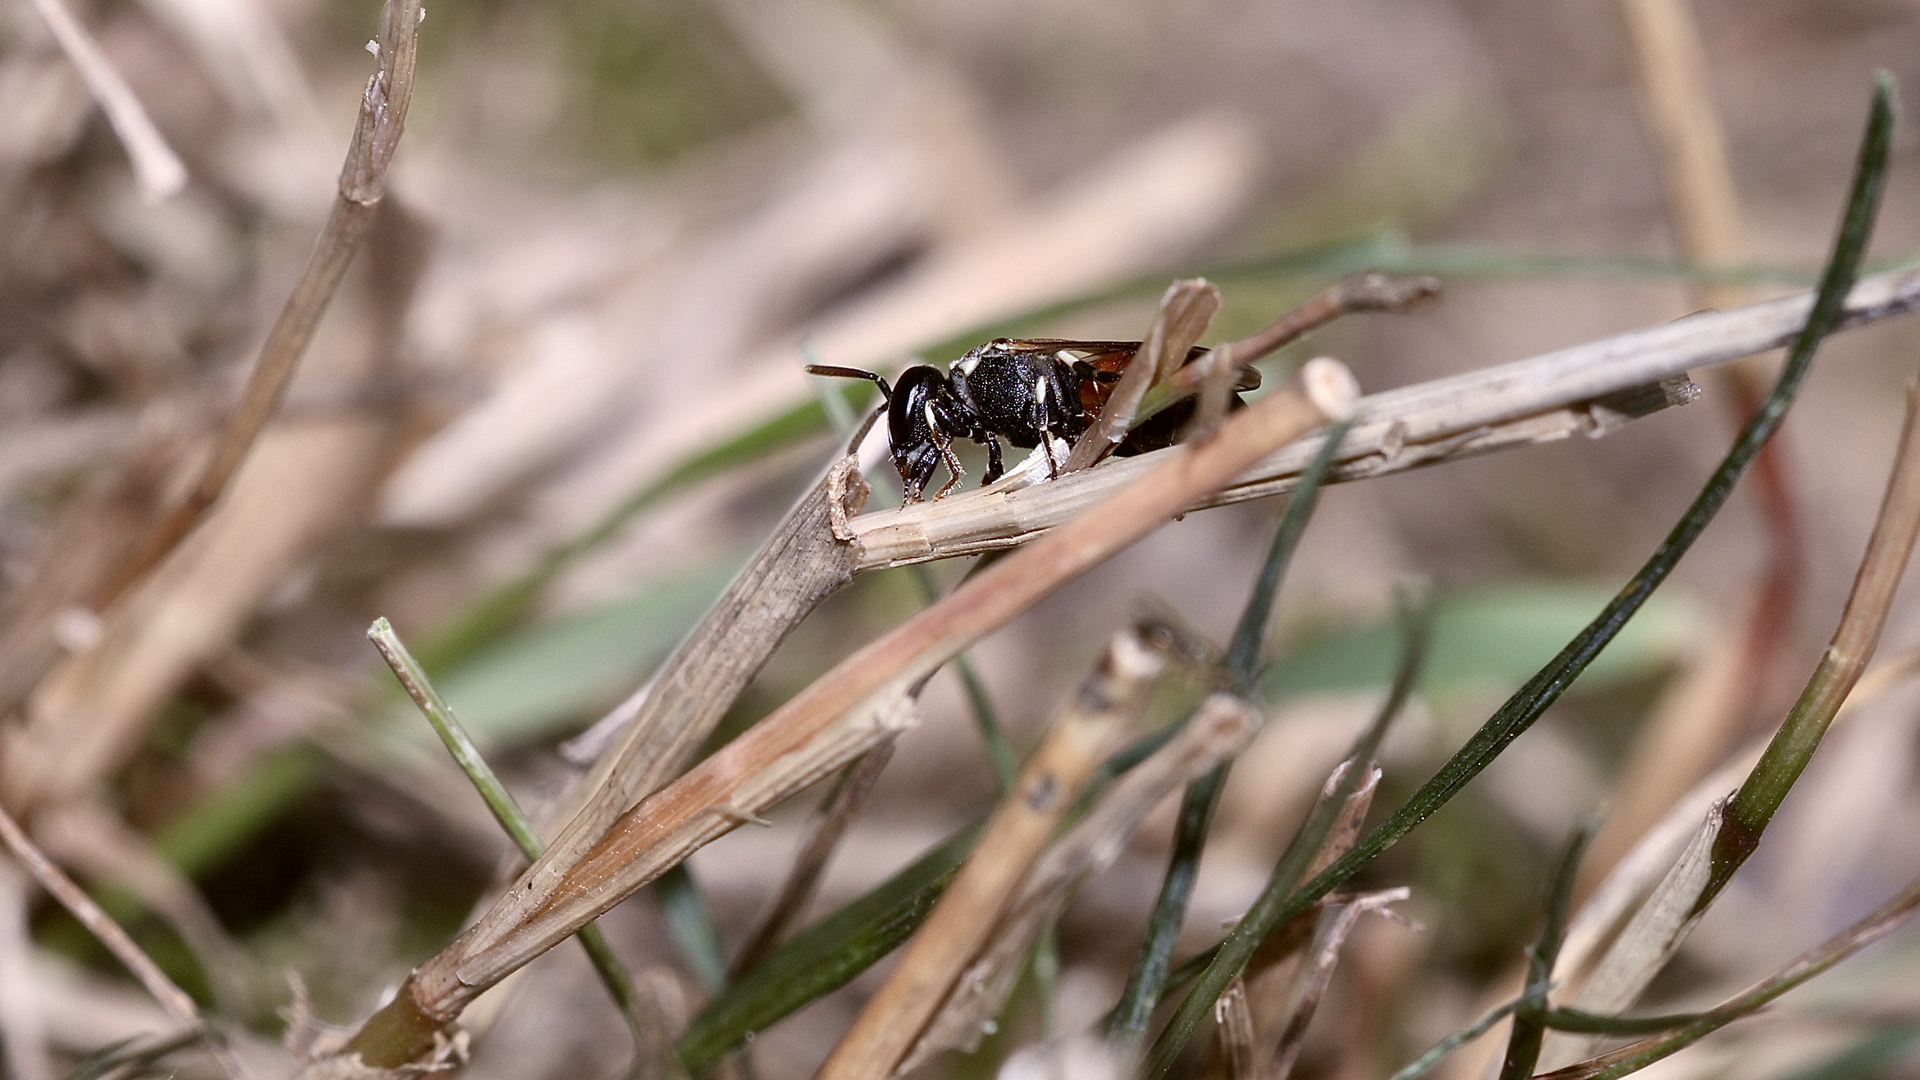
1020 391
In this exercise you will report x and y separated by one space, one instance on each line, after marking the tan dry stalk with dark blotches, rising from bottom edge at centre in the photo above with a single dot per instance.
961 923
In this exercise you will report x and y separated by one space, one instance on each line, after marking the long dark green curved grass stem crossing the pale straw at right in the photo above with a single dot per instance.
1520 714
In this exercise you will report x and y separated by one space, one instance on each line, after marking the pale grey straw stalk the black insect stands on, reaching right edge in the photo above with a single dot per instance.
1543 399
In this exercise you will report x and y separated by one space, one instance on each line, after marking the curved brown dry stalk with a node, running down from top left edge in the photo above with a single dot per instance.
362 185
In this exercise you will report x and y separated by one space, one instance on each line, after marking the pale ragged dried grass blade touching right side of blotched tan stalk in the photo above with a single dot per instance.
1218 731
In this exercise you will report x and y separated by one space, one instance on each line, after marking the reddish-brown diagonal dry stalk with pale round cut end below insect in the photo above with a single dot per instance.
844 712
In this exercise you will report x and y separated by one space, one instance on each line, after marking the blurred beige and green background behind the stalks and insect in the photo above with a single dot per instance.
567 372
